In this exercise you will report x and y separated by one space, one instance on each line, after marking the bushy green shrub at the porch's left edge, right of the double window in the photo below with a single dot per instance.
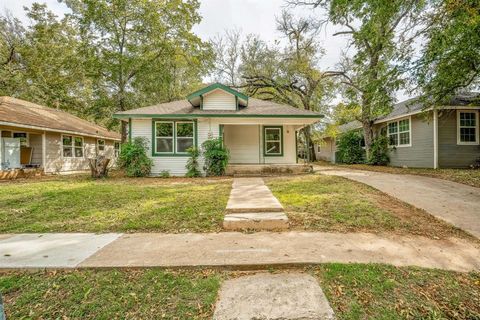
216 157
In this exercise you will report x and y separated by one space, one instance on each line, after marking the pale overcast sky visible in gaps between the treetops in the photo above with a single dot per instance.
249 16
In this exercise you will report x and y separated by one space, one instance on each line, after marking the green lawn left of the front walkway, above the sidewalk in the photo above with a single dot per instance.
80 204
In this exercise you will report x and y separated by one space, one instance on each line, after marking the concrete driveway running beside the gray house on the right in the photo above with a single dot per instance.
453 202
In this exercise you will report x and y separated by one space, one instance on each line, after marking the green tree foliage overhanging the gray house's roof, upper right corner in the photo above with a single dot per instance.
450 60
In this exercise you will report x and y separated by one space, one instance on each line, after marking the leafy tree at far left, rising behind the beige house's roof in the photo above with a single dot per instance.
41 63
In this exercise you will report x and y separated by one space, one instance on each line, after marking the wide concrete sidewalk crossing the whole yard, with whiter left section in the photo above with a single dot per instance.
234 249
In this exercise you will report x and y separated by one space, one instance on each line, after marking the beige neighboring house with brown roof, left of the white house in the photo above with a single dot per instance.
34 136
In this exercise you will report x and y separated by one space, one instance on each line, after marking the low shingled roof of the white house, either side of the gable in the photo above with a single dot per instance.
183 108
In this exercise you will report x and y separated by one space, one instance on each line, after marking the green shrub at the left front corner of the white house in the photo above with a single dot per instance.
133 158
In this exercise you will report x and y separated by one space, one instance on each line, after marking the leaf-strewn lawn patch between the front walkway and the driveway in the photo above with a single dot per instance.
336 204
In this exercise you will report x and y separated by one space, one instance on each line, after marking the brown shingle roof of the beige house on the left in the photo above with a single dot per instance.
16 112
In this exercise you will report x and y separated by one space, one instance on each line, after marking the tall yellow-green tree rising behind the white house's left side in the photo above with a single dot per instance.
139 51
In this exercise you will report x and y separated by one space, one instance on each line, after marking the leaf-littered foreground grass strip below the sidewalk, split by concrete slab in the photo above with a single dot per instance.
355 291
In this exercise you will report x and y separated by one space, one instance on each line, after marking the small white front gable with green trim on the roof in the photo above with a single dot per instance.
218 97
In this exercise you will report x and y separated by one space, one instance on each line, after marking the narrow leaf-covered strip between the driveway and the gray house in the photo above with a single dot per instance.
469 177
